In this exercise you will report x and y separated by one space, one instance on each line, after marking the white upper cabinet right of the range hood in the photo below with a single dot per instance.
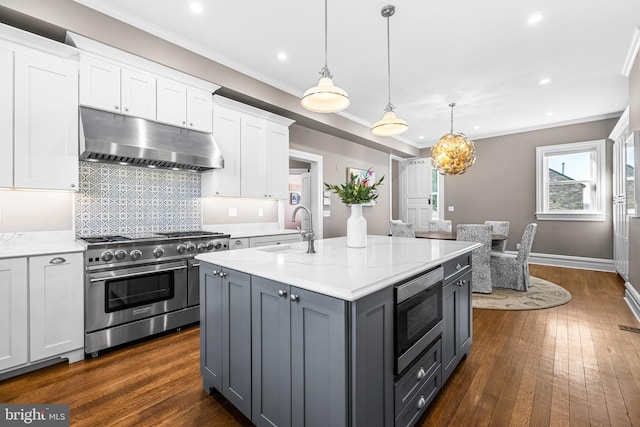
255 147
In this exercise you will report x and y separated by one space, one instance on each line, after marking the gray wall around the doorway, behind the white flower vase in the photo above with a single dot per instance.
339 154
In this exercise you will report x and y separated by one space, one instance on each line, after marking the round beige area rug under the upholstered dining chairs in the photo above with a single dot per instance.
541 294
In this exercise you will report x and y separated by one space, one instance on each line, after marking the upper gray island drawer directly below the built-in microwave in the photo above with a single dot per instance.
412 380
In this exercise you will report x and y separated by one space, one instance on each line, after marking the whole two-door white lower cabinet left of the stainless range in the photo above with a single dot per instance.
41 309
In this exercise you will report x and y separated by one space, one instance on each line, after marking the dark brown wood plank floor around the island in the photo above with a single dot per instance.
569 365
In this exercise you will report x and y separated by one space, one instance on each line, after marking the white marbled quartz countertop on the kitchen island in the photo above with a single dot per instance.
339 271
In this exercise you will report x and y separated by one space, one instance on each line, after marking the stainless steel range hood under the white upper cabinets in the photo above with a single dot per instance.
115 138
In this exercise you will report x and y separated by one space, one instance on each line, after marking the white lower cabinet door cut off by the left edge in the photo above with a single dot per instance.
13 312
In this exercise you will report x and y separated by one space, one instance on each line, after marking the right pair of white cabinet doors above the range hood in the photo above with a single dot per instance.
184 106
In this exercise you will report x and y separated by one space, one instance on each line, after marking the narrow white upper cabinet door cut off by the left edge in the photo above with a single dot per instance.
6 118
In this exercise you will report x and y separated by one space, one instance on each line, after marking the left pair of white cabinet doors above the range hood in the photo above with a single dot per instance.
108 86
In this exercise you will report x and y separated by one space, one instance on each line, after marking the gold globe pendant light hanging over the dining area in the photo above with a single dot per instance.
454 153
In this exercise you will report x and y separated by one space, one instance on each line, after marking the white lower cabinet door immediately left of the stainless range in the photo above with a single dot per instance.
56 304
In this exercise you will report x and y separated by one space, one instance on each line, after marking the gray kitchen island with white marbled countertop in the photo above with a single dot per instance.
294 339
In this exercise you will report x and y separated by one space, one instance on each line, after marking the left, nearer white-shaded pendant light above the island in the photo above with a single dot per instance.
325 97
